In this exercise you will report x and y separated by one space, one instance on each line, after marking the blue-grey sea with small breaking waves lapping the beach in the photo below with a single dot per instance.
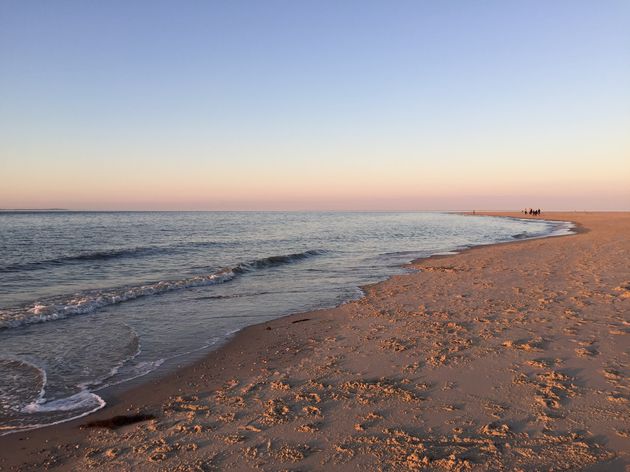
89 300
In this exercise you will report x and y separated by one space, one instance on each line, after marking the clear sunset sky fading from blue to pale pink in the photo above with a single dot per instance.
315 105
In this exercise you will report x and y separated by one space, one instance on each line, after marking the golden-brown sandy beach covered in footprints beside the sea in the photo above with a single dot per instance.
512 356
